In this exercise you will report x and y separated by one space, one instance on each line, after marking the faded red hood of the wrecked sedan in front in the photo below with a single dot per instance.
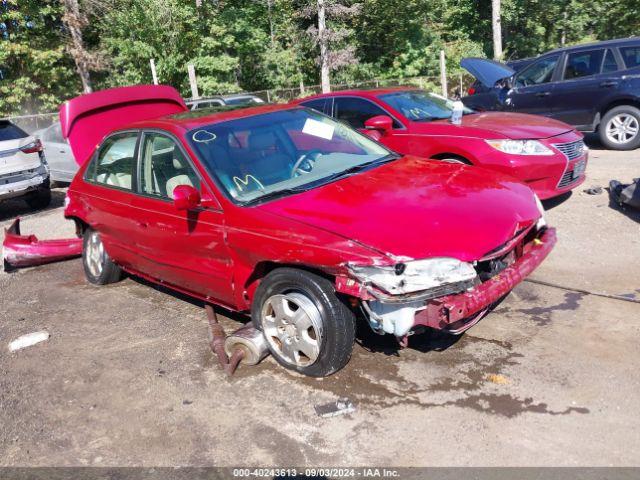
414 208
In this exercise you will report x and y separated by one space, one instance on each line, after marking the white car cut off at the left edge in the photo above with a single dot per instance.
23 168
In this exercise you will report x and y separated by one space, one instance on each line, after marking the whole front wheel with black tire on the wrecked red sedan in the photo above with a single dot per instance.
307 328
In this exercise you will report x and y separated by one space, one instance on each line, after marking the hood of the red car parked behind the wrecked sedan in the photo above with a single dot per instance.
518 126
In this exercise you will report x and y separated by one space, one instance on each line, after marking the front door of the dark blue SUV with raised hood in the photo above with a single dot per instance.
533 87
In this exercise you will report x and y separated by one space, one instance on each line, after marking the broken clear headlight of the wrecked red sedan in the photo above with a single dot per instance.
415 275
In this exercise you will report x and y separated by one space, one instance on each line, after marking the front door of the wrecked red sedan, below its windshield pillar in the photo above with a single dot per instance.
184 249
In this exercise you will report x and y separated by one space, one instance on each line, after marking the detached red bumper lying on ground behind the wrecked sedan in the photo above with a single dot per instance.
26 250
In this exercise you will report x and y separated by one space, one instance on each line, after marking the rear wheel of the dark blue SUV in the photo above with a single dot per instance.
620 128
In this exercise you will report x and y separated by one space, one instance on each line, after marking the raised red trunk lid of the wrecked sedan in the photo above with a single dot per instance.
86 119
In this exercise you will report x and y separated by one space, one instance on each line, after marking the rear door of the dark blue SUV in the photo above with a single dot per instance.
587 78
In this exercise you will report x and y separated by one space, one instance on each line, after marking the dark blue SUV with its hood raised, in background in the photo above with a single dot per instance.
594 87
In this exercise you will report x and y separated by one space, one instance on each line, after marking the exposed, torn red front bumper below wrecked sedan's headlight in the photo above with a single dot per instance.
453 313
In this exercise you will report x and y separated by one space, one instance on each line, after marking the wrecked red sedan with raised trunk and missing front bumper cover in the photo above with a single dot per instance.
298 219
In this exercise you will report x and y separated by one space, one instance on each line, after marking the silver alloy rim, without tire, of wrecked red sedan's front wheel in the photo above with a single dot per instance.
292 324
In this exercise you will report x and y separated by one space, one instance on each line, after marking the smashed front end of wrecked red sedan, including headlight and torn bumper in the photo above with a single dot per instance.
444 293
